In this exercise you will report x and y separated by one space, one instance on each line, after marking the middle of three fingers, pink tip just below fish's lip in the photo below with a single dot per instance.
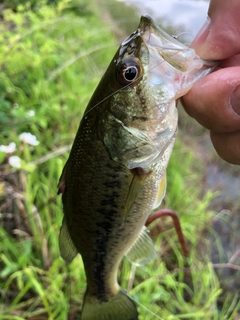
214 101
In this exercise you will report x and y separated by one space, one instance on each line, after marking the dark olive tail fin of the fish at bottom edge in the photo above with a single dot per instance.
119 307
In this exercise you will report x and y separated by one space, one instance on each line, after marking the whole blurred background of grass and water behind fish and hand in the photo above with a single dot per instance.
52 56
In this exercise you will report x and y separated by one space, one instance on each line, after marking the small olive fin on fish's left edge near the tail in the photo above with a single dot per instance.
67 248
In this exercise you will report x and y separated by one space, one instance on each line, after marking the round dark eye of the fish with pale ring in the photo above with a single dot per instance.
128 72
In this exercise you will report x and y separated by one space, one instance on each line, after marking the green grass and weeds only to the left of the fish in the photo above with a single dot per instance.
50 63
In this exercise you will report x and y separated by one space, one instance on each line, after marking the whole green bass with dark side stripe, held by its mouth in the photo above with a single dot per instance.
116 171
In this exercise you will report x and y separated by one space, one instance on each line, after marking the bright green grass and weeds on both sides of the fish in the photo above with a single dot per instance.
51 59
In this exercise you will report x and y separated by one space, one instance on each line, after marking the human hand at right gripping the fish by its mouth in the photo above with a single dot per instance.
214 101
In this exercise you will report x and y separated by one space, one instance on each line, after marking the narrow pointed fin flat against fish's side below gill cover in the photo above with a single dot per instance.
139 177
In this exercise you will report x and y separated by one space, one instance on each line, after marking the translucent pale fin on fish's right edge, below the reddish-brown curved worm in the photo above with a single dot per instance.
142 251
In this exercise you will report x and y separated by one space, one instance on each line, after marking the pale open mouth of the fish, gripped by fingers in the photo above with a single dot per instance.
170 59
